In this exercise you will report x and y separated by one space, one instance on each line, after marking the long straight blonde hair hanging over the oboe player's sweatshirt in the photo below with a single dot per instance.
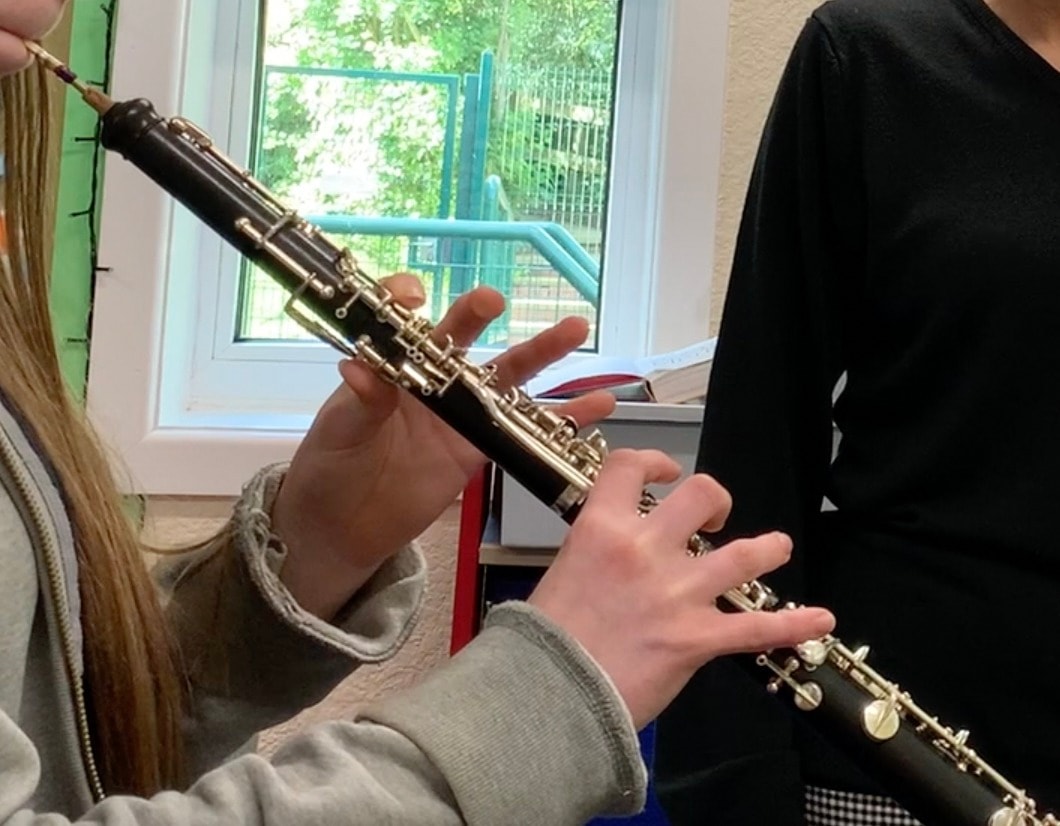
133 684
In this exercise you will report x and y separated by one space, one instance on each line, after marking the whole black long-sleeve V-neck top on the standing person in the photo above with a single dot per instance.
904 229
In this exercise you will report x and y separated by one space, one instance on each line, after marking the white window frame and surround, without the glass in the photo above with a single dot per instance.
154 323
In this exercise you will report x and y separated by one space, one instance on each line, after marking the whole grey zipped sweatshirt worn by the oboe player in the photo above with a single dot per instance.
522 729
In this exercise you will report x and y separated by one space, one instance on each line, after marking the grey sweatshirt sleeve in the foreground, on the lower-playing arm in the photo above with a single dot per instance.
521 728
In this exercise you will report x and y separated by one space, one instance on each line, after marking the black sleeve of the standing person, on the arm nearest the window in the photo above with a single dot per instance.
768 426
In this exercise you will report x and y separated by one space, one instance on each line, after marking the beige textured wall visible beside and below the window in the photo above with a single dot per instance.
761 38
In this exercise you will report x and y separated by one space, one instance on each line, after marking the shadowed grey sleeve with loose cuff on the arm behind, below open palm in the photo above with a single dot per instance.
253 657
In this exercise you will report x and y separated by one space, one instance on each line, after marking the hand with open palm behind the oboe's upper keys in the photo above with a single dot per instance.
378 468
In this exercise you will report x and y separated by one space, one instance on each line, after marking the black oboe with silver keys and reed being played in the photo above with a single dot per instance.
928 767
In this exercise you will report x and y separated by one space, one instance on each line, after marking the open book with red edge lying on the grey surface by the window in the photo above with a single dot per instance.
673 378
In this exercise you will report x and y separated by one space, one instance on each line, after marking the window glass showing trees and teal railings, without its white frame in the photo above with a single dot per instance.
468 142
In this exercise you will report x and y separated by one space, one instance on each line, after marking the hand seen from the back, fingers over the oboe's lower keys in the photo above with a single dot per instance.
625 587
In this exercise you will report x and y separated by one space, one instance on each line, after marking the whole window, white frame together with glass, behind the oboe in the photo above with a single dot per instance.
195 377
